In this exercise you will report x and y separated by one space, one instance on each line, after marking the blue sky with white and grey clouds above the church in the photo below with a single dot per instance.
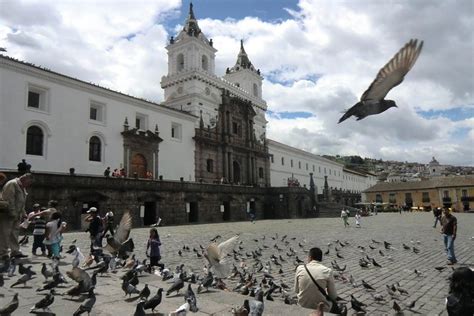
317 58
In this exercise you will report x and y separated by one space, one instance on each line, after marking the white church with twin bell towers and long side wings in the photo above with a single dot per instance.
57 122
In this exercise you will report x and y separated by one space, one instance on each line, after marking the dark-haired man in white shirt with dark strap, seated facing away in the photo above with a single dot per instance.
314 284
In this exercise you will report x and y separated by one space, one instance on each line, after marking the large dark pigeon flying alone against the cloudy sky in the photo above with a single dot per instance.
391 75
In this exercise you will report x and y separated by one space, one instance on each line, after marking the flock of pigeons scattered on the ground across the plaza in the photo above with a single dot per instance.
255 268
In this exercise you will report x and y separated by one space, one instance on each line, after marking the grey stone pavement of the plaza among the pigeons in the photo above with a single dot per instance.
398 265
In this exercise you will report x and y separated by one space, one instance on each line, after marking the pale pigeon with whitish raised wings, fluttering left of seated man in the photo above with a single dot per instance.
216 255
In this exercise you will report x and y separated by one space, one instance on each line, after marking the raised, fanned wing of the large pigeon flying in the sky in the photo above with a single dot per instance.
393 72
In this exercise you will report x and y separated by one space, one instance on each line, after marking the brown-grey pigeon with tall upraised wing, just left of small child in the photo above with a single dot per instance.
119 243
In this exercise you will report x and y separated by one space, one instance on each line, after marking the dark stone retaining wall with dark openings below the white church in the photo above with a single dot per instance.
175 202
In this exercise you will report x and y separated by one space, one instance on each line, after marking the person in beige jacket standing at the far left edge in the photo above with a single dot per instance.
14 193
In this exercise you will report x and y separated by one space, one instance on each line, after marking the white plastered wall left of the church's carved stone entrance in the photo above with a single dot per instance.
69 128
